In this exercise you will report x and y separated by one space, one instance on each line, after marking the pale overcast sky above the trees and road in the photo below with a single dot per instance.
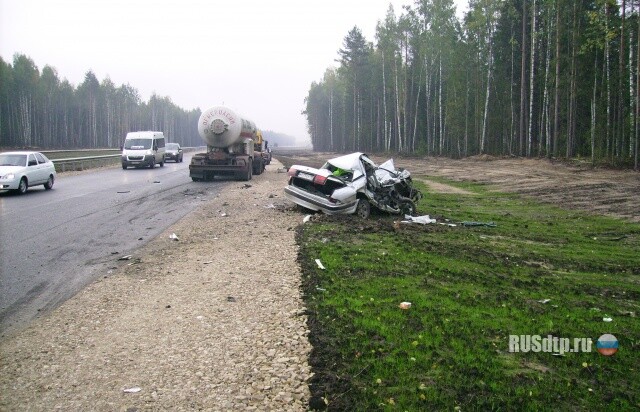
256 57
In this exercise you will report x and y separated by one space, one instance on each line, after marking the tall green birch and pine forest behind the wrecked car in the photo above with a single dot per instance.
534 78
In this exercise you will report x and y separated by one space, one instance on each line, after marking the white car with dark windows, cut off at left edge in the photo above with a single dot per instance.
21 170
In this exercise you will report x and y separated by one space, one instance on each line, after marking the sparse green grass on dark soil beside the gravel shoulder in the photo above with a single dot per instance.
470 288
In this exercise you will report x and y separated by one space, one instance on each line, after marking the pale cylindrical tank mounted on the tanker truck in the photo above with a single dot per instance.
221 127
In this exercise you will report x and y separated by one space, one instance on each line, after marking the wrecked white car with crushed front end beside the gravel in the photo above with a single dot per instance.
352 184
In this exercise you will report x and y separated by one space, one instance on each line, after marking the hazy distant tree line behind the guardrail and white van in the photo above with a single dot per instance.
38 109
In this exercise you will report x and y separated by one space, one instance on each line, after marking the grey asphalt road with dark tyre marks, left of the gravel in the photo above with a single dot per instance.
56 242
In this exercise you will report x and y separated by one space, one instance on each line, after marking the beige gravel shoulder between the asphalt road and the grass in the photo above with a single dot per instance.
211 321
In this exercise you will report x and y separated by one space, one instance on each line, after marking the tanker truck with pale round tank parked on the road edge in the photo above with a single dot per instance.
230 146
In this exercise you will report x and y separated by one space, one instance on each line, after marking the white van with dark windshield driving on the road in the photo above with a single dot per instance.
143 149
